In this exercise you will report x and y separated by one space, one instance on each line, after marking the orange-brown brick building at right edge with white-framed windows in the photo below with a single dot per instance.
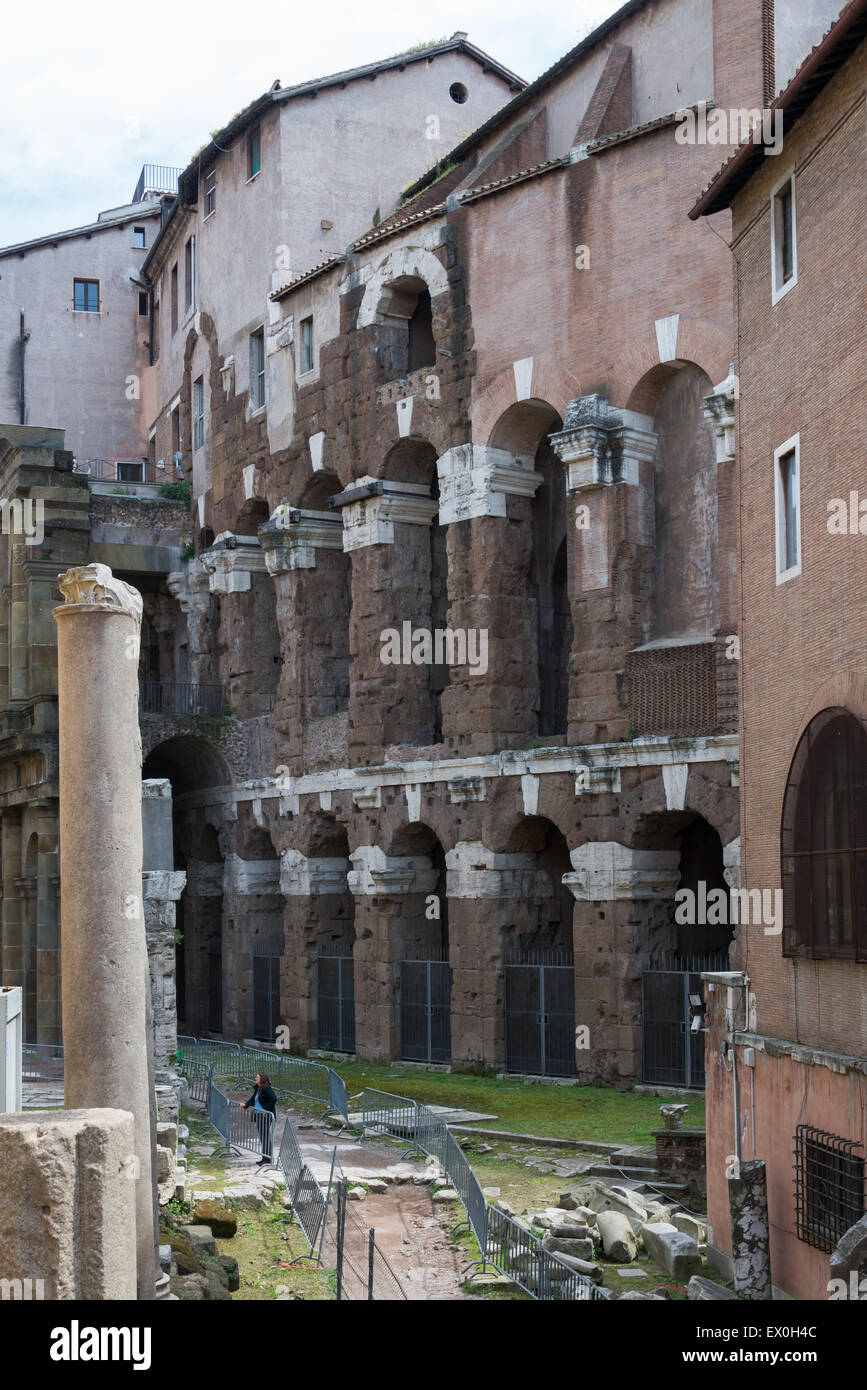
788 1029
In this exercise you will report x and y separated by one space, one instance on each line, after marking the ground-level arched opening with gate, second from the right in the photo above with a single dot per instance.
540 996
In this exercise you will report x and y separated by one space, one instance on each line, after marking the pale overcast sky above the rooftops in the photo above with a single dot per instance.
92 91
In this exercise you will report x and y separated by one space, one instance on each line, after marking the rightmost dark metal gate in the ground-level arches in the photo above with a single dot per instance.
672 1054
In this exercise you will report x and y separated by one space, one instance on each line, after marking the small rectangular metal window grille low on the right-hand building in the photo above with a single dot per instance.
829 1186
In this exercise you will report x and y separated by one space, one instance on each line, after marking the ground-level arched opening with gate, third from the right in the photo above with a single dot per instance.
422 936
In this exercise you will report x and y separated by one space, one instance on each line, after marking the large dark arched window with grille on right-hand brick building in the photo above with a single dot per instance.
825 842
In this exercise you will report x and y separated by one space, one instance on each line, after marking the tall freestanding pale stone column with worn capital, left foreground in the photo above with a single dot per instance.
108 1049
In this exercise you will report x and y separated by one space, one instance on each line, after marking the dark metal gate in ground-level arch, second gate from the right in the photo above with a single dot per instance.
540 1001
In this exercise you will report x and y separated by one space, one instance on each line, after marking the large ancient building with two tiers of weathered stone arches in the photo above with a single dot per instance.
447 696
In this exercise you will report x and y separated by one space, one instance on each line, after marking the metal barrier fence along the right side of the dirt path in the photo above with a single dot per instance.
504 1242
